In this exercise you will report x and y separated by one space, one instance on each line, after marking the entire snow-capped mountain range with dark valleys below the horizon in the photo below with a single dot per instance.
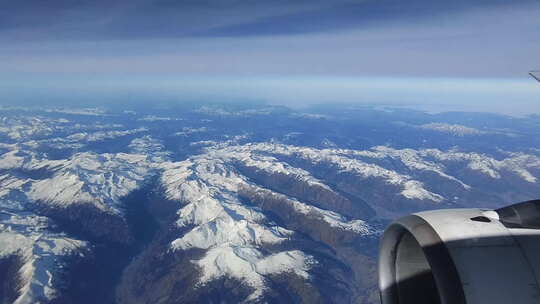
211 205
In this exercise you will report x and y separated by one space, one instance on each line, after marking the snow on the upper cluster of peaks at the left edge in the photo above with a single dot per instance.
86 177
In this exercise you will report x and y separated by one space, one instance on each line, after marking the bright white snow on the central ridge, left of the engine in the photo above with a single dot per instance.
229 230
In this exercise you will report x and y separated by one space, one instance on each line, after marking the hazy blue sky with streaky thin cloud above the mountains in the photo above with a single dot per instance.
459 54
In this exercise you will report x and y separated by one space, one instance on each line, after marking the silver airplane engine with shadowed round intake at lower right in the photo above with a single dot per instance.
456 256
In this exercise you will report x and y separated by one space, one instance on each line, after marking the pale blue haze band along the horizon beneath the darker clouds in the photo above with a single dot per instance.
516 97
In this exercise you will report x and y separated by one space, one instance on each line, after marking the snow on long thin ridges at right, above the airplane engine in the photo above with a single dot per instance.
433 160
